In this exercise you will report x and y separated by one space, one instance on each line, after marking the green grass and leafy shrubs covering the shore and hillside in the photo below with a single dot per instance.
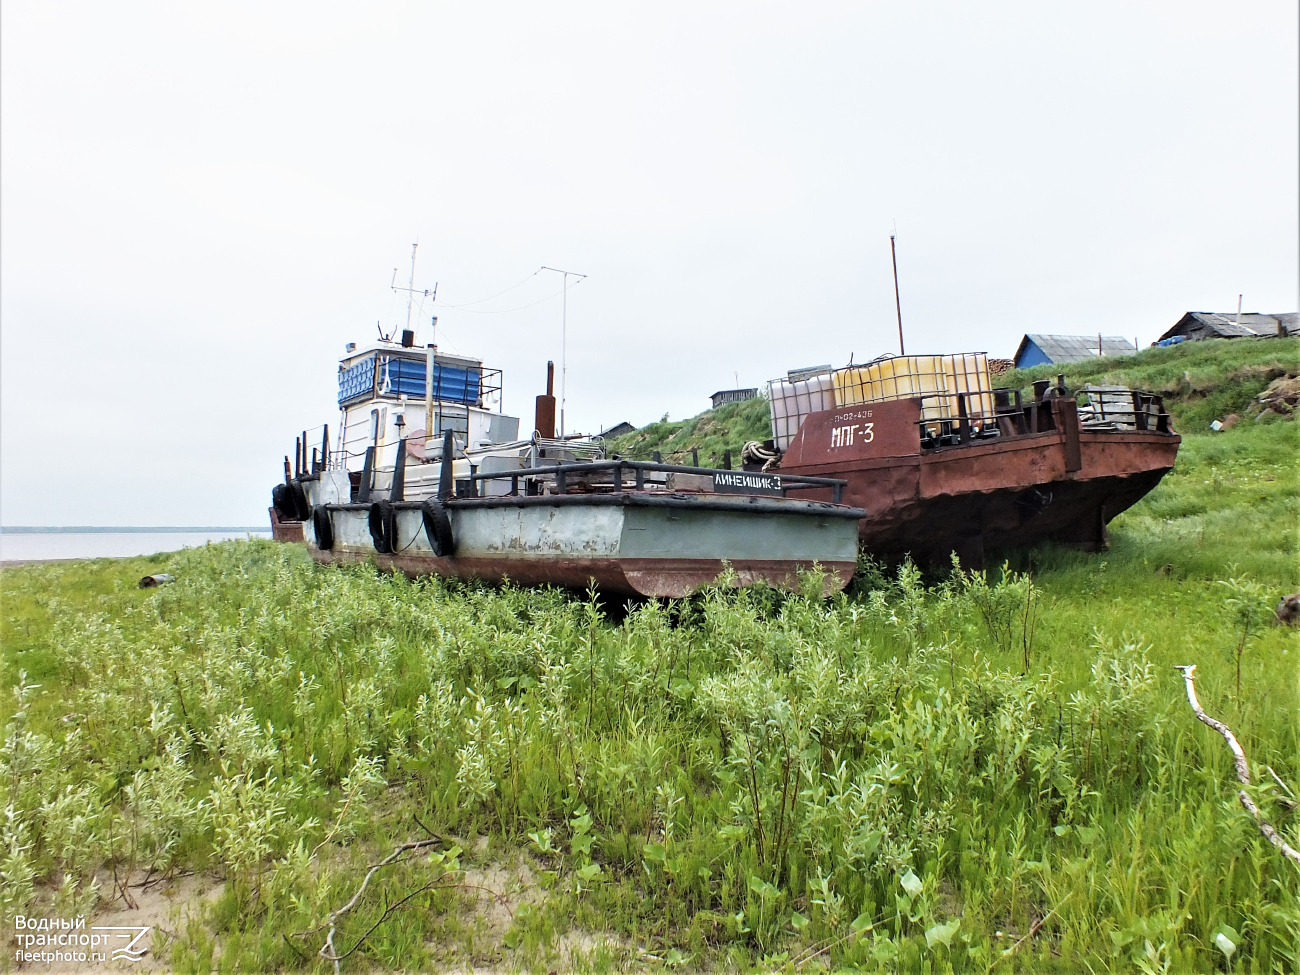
956 774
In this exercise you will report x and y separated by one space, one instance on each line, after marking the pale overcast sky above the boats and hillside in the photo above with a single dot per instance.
202 203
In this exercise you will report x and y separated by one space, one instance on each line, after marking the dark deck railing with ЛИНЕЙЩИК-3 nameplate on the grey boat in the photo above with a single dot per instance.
638 475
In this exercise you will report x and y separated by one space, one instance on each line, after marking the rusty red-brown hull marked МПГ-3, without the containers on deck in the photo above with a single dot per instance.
1063 484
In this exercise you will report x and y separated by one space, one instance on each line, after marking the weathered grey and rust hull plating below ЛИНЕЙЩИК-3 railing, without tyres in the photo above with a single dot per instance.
630 545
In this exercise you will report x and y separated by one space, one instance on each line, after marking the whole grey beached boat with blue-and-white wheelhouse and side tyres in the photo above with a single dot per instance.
424 476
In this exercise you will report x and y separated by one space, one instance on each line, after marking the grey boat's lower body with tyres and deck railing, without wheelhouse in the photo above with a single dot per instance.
656 540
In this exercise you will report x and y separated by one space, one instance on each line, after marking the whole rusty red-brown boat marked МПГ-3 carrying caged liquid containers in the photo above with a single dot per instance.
946 463
